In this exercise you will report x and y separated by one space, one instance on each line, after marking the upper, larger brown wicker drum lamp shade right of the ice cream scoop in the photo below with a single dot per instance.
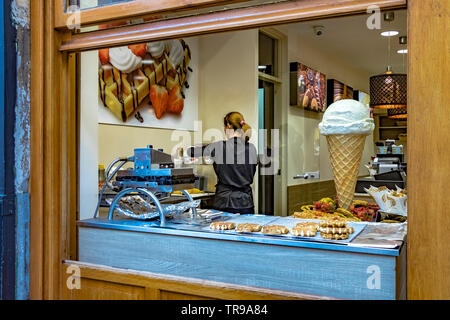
388 91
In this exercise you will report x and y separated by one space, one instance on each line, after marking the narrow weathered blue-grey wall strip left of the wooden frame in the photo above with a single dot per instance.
20 17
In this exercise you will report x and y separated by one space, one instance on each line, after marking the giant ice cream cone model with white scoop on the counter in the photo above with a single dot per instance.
346 125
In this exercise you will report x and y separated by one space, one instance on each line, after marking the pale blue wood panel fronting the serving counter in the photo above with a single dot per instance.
337 274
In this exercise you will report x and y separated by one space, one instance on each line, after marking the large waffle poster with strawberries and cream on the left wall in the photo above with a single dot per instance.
150 85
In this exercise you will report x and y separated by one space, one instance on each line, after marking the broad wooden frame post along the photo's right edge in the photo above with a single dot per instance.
428 157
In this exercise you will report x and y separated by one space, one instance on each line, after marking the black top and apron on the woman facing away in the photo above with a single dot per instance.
235 163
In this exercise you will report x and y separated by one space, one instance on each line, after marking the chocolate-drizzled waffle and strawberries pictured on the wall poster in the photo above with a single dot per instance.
156 81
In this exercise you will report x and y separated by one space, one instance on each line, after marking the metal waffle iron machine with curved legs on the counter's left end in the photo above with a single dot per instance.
154 177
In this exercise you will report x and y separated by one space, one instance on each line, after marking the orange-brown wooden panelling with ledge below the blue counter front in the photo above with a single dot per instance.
107 283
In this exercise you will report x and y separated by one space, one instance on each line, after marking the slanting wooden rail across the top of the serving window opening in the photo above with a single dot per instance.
236 19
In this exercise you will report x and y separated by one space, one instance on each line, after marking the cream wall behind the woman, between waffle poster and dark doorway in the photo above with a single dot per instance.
228 82
